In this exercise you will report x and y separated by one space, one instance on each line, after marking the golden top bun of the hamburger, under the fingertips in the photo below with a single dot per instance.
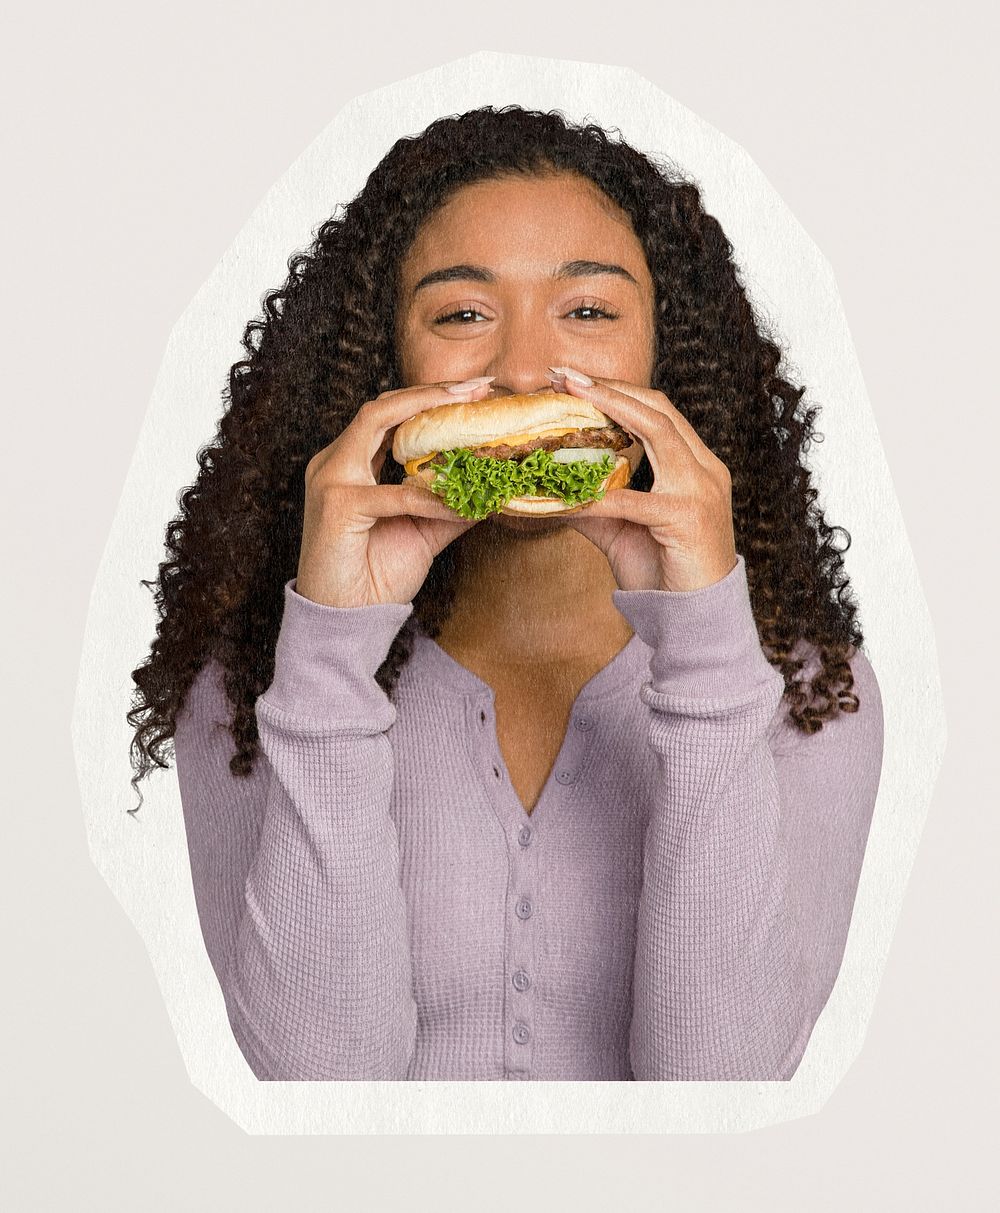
480 423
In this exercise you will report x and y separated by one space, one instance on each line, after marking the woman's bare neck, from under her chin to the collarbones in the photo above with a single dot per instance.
541 596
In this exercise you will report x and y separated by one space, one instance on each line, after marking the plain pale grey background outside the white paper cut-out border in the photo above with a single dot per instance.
140 141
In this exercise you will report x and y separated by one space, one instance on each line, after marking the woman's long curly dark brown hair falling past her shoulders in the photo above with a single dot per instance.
325 346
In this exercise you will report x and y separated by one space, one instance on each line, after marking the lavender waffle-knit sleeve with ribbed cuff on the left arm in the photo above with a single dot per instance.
297 867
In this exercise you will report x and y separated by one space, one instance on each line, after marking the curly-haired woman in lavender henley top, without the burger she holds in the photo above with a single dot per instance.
582 798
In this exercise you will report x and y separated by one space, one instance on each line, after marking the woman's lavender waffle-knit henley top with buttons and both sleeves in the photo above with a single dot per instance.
378 906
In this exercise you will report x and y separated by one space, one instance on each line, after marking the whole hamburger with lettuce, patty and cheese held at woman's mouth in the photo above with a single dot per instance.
544 453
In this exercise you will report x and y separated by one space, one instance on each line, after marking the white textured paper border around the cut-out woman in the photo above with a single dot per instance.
792 283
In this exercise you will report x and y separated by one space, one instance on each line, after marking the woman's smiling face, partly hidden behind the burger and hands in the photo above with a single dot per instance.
514 276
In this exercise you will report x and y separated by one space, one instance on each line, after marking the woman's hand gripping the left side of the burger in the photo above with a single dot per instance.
366 543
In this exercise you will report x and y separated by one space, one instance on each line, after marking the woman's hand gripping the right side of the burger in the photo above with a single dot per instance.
679 536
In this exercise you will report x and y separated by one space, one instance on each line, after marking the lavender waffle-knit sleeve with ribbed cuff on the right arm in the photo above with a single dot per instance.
754 845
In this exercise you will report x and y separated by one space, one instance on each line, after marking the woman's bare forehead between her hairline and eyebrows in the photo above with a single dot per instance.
541 220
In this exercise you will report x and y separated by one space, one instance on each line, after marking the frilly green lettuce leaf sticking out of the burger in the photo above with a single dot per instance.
478 487
